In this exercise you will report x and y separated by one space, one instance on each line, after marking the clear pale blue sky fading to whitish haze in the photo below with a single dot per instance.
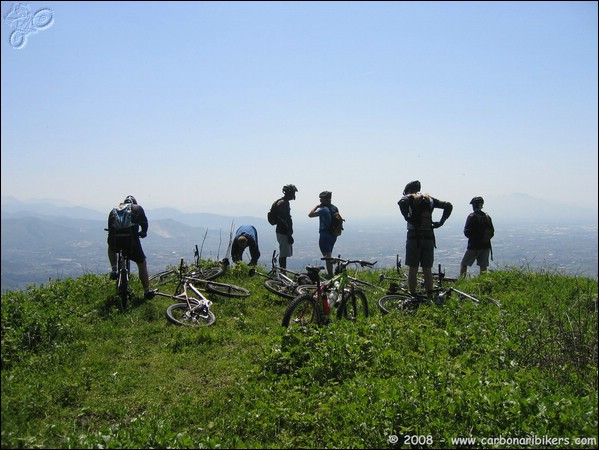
214 106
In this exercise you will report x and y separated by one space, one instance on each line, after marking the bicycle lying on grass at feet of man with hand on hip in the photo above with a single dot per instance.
399 298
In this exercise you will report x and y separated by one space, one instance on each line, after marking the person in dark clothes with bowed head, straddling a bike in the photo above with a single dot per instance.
131 243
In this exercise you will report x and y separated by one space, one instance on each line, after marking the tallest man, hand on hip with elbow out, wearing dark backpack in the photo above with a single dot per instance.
417 210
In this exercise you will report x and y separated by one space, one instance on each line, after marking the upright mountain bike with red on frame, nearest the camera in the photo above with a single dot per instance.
339 292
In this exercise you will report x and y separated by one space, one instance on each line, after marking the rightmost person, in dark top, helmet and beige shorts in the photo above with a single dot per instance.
479 230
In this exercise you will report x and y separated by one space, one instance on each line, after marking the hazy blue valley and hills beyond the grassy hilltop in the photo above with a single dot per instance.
38 248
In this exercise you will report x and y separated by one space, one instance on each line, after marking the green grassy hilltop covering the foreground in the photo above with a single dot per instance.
79 373
